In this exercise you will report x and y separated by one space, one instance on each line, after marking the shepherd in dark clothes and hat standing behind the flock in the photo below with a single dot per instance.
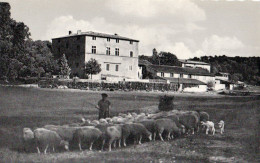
104 107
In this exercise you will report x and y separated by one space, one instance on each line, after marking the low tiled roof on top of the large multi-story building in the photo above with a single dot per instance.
104 35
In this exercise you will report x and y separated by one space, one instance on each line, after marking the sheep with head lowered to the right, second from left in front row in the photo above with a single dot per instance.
46 138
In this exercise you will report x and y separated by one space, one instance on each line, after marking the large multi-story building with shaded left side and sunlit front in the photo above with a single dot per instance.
117 55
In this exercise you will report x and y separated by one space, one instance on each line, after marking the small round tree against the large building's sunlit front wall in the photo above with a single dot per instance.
92 67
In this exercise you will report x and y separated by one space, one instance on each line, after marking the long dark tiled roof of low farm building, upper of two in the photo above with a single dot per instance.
180 70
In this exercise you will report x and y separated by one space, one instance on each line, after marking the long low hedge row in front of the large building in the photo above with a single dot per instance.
126 86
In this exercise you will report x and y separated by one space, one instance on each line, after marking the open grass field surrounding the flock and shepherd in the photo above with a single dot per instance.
31 107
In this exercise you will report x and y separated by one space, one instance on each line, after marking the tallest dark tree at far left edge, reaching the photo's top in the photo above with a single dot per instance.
12 39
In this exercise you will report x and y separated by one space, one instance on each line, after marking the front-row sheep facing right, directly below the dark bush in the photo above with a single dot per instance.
166 125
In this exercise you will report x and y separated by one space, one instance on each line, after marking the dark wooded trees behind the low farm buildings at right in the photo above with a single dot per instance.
245 69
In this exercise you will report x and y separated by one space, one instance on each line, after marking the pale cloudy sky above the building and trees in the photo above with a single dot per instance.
187 28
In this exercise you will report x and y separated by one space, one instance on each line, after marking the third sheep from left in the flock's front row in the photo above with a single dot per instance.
86 134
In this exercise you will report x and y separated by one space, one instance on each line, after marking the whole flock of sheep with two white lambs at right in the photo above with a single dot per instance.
119 129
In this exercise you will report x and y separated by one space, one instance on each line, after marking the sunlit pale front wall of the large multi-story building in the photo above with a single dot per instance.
128 66
